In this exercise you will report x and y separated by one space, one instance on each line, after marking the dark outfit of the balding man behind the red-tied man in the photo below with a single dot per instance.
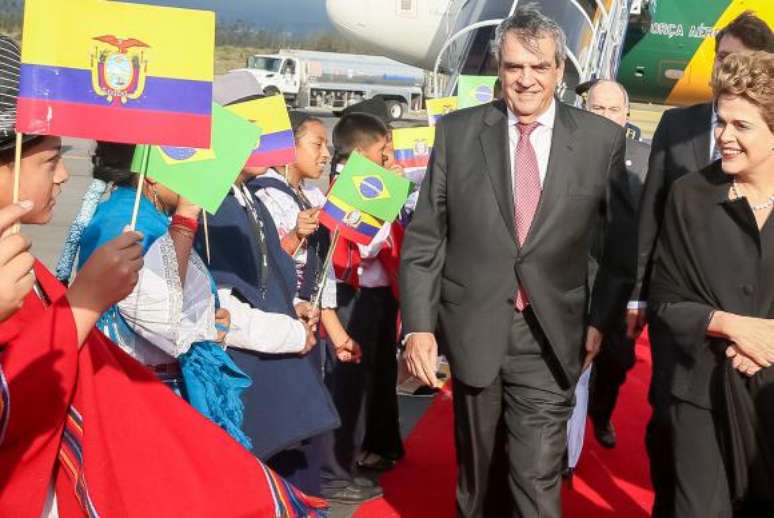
617 355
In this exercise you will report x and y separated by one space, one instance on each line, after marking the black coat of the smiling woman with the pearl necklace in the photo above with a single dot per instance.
710 256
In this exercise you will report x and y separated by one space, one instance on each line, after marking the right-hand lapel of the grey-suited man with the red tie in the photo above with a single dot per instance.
559 162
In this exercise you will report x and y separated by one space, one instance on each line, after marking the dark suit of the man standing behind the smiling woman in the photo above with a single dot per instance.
681 144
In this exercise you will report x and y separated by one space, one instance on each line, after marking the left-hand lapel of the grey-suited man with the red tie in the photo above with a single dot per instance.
494 143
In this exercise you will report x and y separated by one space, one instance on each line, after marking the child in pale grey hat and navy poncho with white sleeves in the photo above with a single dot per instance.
287 406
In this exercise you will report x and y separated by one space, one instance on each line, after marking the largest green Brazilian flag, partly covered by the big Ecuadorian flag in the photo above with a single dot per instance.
204 176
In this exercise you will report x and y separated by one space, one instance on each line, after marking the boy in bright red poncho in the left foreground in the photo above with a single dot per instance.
85 430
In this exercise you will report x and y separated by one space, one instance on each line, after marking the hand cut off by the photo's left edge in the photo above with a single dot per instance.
16 275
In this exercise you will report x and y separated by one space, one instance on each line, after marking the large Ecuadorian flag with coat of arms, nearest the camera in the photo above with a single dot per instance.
116 71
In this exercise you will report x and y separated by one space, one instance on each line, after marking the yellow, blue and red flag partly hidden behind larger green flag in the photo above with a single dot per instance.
277 145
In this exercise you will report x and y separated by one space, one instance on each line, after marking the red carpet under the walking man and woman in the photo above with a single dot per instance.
607 483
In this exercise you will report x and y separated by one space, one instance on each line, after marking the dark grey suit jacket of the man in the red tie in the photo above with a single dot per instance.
461 260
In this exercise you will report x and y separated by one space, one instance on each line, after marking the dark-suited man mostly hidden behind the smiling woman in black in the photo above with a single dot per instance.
682 143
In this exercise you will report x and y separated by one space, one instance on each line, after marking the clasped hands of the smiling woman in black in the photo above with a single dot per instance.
753 337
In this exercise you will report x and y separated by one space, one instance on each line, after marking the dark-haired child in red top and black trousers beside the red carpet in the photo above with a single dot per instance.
367 305
